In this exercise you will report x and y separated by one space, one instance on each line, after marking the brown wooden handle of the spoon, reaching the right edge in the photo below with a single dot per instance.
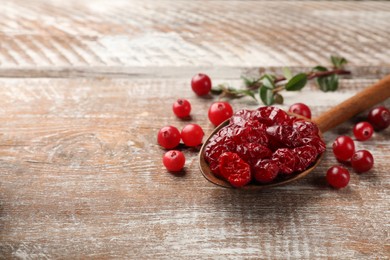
363 100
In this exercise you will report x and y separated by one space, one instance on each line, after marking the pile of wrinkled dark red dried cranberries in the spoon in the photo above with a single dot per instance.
260 145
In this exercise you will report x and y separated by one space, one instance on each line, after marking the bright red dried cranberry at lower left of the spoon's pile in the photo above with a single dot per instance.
235 170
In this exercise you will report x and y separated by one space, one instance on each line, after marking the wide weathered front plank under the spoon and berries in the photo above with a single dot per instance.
81 177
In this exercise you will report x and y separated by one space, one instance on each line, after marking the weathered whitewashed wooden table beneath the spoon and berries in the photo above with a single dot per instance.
86 85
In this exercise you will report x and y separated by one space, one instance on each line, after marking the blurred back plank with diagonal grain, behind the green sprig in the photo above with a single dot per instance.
192 33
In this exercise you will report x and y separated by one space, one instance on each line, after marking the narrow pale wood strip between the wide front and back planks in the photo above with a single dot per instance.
169 72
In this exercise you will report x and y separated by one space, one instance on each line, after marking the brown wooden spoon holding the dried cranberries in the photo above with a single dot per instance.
363 100
